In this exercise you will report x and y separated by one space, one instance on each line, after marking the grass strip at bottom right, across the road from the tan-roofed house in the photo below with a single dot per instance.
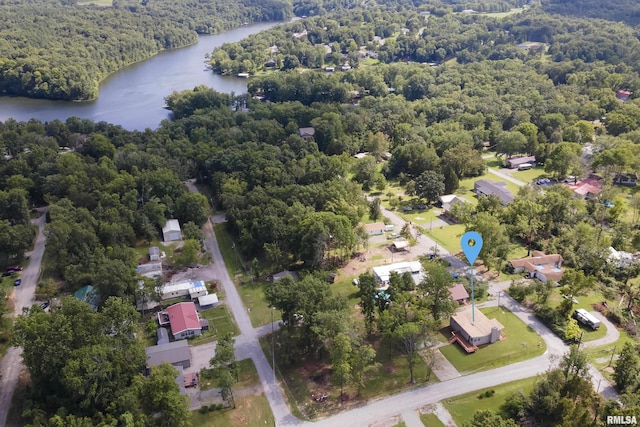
464 406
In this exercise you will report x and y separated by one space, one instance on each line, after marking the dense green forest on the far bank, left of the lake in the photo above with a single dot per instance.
75 46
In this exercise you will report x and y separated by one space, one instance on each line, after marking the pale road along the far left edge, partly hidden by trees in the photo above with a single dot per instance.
11 364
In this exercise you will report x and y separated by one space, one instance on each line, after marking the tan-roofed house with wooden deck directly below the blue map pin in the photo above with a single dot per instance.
471 328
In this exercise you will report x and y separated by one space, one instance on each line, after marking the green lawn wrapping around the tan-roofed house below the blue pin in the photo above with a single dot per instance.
521 343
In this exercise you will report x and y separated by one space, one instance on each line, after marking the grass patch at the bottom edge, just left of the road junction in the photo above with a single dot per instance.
250 411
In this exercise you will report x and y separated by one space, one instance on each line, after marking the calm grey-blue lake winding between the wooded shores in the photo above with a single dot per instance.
134 96
